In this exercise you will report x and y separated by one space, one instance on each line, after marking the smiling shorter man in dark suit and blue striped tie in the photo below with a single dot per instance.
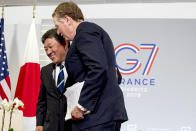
51 107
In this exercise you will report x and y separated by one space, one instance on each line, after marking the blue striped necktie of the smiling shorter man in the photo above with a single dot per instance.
60 80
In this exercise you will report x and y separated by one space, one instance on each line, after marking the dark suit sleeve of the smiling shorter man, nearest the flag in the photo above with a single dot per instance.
41 104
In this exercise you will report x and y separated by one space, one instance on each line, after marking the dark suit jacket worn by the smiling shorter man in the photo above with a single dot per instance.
51 106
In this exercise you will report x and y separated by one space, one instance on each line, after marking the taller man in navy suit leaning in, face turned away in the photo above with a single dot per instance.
91 59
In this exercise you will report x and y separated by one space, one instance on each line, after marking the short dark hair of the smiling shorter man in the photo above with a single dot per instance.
52 33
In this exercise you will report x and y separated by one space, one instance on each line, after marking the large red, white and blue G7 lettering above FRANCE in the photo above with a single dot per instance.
135 62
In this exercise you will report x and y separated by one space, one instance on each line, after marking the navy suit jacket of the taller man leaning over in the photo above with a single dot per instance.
91 58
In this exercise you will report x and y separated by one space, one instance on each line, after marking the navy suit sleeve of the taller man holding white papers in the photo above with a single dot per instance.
93 56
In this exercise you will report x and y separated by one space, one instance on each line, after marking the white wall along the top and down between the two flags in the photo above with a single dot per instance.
18 19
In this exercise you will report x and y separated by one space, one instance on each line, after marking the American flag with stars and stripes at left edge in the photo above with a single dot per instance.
5 86
